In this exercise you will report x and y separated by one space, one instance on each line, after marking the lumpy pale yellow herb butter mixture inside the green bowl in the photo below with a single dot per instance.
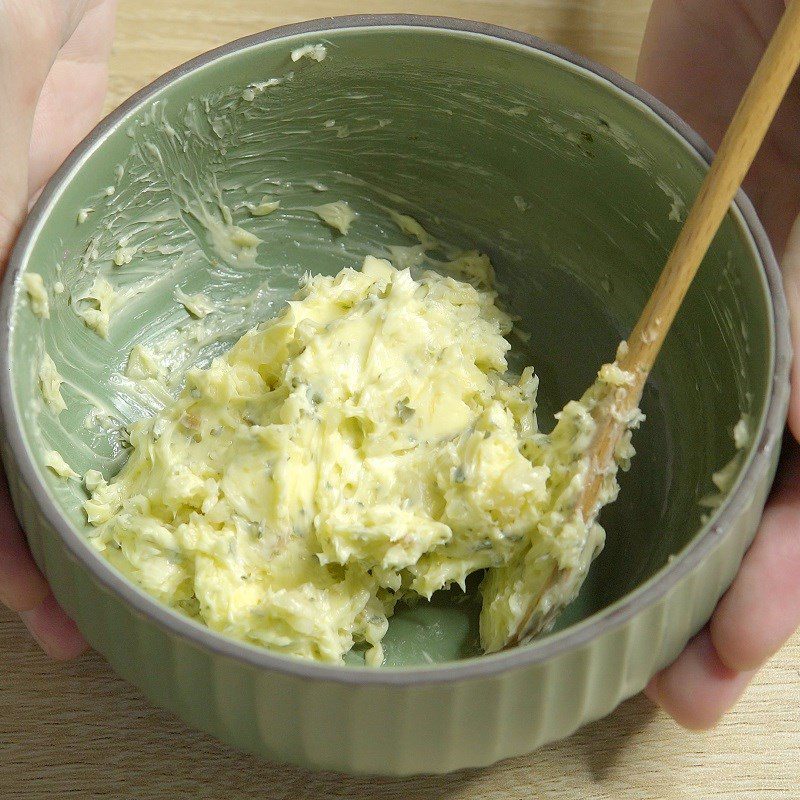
365 447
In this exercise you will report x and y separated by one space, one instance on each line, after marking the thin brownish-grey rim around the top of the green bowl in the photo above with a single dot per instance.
574 637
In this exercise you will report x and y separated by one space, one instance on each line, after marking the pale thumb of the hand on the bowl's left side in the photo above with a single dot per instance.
30 36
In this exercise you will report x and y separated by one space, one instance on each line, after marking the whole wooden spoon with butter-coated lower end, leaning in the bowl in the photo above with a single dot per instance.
729 168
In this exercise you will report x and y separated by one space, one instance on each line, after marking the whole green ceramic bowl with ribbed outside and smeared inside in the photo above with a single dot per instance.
575 182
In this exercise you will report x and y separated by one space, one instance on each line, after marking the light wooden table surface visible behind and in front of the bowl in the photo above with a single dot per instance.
77 731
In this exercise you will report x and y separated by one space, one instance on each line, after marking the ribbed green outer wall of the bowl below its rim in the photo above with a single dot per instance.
385 728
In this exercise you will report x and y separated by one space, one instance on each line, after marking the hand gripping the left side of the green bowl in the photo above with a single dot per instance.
53 71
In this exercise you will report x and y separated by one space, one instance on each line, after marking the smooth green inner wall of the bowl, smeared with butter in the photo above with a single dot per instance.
574 189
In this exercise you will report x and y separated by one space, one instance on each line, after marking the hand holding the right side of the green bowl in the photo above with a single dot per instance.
698 56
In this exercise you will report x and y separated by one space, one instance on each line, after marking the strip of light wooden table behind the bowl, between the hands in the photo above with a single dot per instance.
155 35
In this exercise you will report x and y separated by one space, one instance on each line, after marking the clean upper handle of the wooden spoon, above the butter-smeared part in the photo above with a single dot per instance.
728 170
